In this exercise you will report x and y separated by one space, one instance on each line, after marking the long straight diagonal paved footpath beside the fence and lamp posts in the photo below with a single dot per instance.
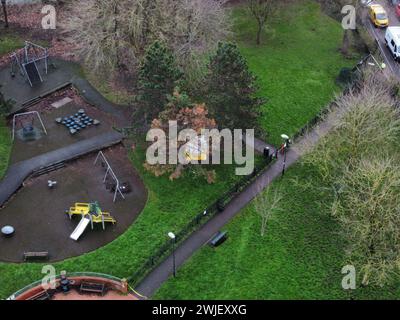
160 274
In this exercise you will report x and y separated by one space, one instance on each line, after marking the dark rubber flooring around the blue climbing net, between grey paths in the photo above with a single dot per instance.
57 135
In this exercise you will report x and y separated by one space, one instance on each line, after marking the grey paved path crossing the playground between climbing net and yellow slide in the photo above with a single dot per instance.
18 172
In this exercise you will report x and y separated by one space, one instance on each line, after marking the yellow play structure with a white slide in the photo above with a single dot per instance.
90 213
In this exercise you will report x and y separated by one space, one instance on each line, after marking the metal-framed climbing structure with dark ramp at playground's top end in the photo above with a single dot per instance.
28 60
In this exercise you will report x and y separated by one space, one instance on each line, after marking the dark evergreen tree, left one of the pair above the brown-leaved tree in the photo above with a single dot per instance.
158 76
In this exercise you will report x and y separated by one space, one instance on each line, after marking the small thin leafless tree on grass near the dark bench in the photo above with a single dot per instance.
266 204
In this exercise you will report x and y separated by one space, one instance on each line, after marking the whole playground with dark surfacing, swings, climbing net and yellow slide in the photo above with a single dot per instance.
70 187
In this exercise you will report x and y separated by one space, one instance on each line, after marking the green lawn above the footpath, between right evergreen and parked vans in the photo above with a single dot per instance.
296 65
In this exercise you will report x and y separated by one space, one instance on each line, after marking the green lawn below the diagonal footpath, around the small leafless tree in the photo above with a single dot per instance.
300 256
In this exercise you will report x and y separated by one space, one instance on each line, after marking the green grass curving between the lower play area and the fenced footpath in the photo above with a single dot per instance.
170 206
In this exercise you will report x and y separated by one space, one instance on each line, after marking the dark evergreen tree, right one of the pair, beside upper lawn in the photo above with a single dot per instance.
231 89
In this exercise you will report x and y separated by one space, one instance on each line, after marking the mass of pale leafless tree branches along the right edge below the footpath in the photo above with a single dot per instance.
359 162
